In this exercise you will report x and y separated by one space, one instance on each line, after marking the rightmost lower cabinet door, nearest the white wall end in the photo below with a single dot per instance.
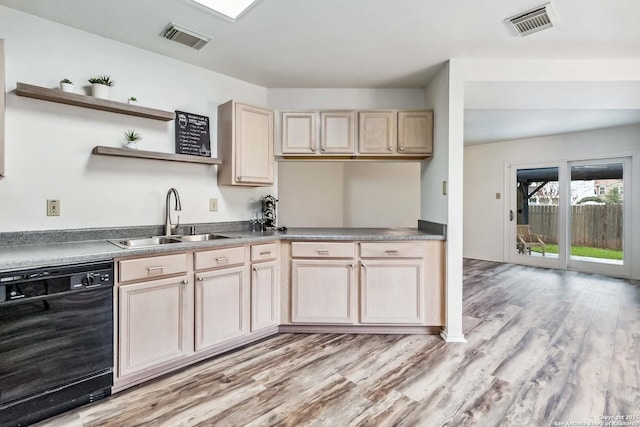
392 292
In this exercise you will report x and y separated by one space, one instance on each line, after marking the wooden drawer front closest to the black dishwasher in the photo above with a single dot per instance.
153 267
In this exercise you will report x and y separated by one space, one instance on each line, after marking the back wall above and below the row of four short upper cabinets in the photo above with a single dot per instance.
348 194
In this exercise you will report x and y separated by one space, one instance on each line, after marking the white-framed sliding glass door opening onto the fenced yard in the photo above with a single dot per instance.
571 215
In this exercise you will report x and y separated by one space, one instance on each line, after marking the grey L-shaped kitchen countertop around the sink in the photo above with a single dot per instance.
46 254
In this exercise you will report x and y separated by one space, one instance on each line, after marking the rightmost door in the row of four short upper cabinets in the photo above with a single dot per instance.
415 132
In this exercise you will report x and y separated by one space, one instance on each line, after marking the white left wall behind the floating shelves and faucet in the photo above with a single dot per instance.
48 145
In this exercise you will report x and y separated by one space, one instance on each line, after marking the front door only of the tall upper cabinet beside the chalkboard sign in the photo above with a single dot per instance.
254 158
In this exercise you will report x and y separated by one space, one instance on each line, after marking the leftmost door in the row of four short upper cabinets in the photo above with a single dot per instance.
299 133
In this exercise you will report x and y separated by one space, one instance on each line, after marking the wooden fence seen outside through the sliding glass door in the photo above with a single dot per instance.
596 226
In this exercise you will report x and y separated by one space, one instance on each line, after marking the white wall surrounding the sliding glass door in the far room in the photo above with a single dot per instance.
484 176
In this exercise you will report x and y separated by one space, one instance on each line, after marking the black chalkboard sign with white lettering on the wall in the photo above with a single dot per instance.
192 134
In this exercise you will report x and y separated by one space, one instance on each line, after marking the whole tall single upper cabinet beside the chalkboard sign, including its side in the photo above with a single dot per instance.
245 145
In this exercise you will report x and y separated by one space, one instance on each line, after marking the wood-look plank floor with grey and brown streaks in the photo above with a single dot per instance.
543 346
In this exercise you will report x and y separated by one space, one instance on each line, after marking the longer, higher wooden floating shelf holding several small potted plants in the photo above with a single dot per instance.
56 95
